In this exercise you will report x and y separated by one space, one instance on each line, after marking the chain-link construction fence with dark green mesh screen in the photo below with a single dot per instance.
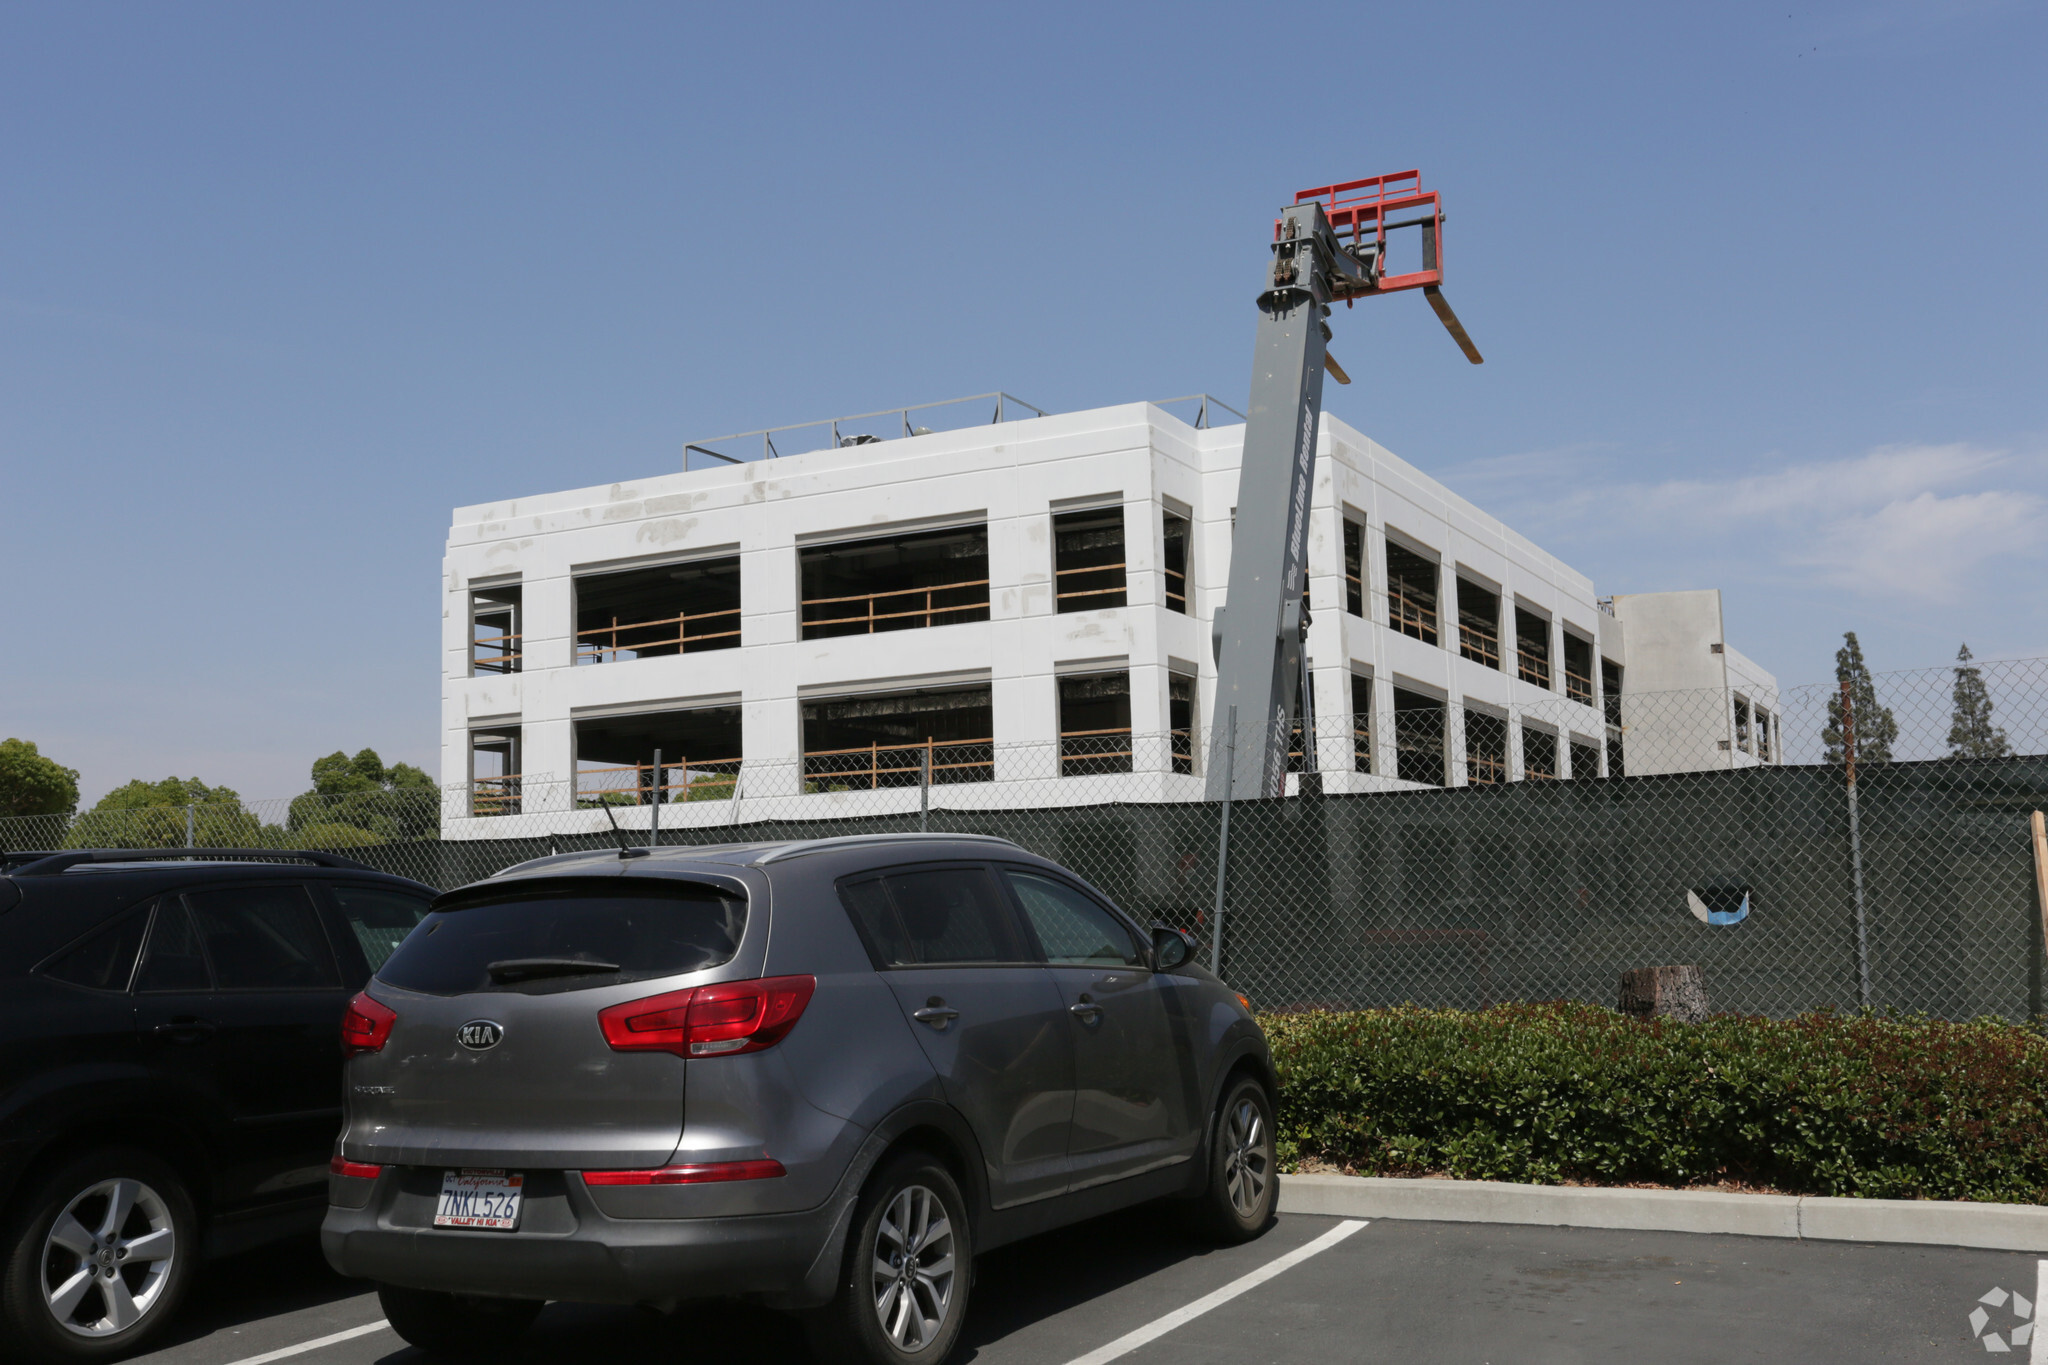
1805 848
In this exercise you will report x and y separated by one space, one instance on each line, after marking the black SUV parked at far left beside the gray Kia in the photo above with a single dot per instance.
171 1077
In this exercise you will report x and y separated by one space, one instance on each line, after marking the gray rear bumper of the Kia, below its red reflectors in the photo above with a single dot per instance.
574 1251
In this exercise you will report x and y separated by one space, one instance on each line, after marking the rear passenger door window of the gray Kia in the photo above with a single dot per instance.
933 916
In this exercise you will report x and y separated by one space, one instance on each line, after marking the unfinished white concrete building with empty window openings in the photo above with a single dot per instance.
1027 605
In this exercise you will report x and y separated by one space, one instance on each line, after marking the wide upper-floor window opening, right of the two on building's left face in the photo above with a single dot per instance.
937 578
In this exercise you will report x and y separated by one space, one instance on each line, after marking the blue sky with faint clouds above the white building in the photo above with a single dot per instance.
1760 292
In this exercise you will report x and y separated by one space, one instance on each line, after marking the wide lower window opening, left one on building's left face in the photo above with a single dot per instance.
658 758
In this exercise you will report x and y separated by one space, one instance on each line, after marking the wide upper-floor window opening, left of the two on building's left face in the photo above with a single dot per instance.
656 613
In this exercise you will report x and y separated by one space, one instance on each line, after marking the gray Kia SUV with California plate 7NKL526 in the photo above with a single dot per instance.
816 1075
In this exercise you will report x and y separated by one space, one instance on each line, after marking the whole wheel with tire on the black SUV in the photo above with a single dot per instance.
97 1258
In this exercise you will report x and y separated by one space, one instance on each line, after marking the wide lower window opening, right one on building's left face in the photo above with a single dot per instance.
892 740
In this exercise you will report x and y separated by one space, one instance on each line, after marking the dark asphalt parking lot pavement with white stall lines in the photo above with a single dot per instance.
1314 1290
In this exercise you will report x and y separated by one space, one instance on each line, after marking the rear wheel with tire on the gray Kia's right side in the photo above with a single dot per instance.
914 1317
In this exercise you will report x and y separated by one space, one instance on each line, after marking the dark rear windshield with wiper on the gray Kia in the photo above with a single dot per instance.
544 944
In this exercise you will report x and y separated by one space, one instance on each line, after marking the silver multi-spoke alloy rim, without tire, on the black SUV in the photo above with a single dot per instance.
108 1258
